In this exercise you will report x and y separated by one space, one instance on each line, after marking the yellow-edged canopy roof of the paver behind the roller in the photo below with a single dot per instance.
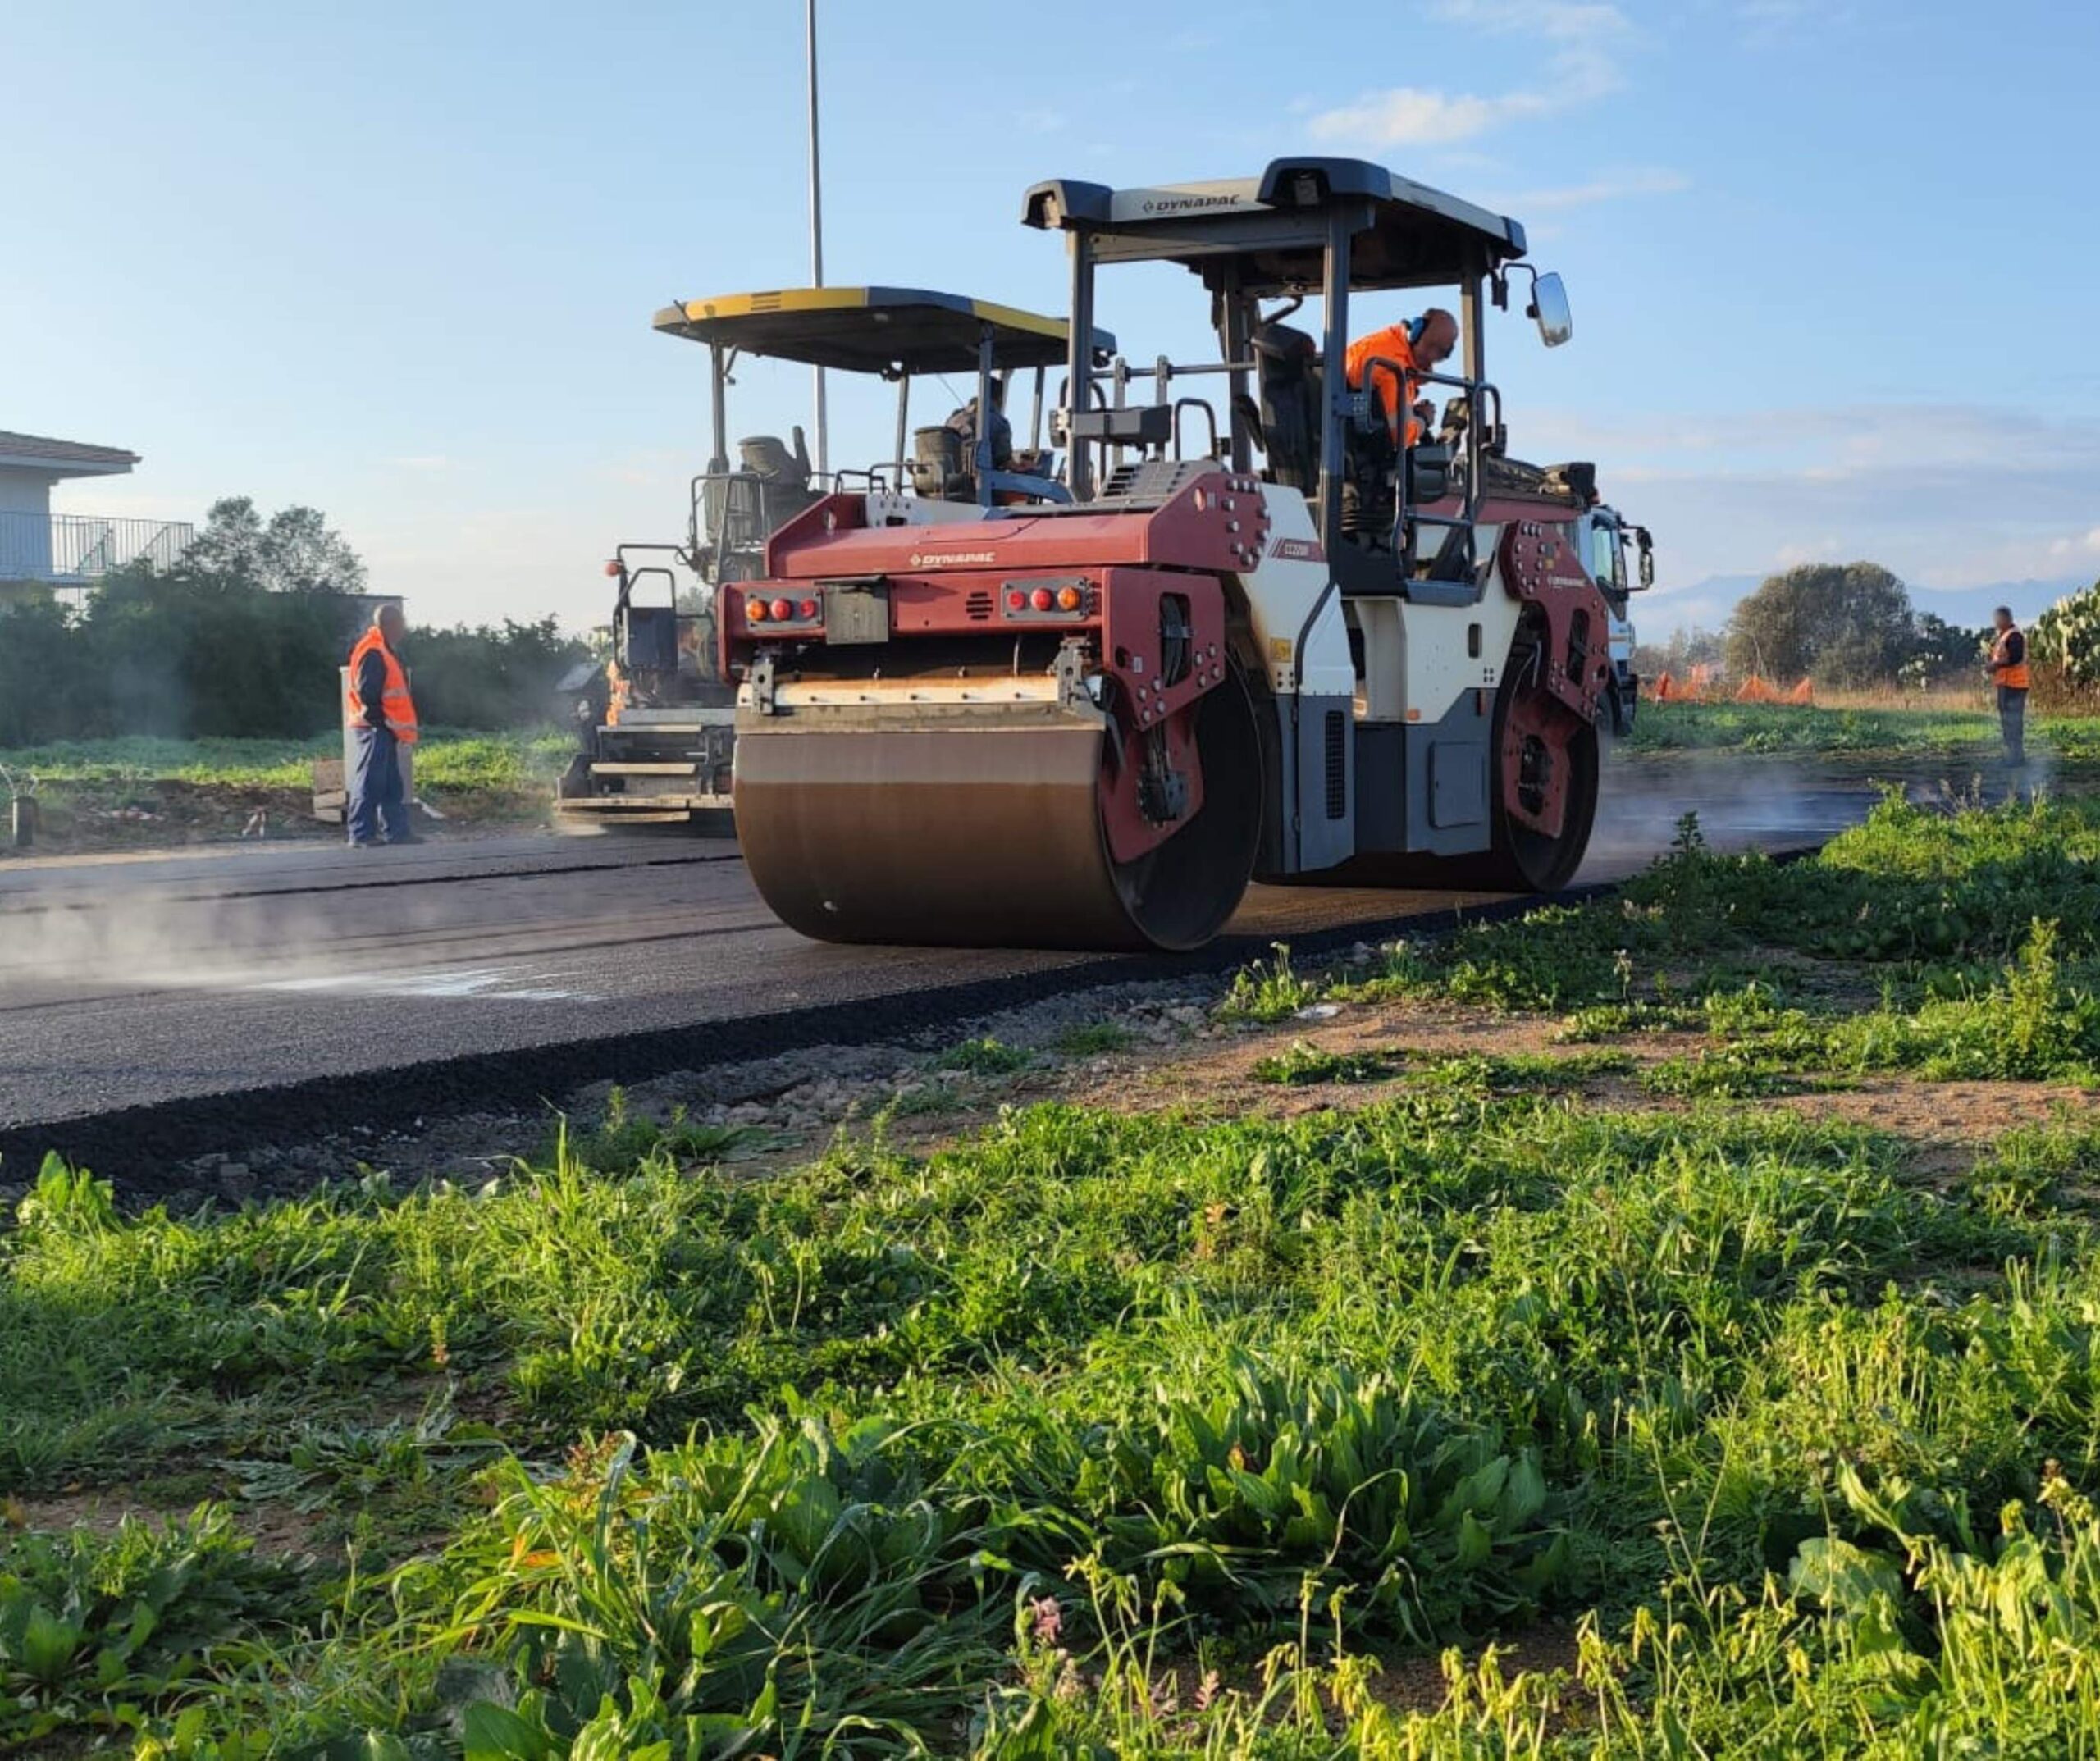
875 331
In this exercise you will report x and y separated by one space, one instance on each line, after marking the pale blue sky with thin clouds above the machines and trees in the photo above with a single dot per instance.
1832 263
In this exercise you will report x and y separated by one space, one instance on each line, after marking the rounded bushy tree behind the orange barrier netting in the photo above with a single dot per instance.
1839 622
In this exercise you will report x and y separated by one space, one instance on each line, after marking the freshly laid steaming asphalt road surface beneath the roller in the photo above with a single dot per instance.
133 985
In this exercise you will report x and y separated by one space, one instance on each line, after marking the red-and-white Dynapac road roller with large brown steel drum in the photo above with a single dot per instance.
1259 641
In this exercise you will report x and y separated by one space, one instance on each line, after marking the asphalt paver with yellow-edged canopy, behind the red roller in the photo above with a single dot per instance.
658 721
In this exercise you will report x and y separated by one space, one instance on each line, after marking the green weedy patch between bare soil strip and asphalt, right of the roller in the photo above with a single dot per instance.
1958 946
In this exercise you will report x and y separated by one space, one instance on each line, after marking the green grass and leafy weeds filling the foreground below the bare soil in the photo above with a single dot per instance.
807 1458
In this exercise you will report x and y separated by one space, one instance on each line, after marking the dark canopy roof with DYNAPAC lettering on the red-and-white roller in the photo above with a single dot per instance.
1276 226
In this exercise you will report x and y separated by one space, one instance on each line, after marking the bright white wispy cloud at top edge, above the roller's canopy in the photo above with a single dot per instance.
1582 70
